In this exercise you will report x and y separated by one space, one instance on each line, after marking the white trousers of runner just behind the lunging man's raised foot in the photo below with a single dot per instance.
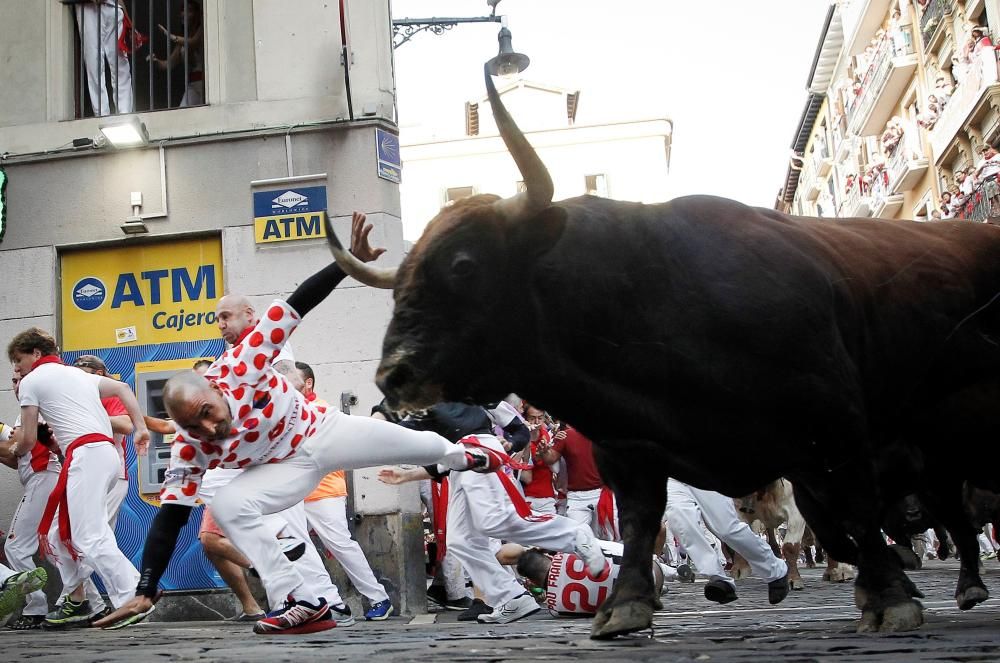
479 508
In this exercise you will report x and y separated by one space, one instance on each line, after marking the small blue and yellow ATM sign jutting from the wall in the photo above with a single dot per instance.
289 214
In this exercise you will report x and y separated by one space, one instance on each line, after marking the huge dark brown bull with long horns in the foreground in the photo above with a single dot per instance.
858 358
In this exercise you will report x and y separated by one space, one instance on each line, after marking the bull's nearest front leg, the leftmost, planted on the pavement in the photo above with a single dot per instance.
641 498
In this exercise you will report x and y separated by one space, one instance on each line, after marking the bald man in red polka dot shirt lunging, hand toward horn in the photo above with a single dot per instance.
245 414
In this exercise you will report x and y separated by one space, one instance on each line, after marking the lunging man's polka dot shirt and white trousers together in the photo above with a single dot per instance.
286 446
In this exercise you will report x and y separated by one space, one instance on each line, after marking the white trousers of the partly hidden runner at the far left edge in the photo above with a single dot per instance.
22 541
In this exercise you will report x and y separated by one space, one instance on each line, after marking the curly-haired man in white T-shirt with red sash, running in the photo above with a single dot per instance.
80 540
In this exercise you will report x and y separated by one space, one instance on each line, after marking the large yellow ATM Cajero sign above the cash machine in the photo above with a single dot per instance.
157 293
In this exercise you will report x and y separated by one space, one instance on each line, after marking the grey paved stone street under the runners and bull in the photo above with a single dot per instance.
814 624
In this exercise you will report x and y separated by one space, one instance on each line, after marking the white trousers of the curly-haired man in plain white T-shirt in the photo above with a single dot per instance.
92 475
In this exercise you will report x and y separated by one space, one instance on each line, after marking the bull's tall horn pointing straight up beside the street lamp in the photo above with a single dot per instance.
537 182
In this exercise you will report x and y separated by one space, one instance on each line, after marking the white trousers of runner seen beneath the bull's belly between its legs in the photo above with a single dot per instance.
685 503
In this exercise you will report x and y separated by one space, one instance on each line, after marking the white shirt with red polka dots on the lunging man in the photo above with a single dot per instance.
271 419
